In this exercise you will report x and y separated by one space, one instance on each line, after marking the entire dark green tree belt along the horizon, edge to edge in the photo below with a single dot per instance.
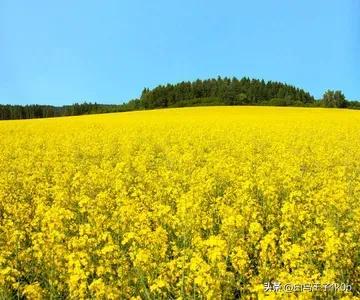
216 91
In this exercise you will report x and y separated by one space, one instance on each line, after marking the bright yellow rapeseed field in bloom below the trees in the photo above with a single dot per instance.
192 203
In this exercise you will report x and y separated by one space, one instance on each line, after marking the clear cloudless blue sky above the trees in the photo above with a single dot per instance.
60 52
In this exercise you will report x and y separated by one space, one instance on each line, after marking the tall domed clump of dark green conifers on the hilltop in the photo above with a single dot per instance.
224 91
